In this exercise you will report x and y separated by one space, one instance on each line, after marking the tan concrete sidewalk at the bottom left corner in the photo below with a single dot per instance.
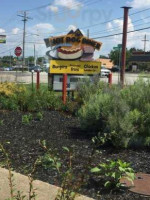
44 191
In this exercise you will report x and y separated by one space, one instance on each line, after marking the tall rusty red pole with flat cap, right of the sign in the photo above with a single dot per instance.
124 44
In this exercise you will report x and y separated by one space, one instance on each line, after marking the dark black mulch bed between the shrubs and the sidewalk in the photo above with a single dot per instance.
61 130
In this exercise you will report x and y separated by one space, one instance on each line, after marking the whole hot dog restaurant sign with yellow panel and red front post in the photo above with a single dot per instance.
73 55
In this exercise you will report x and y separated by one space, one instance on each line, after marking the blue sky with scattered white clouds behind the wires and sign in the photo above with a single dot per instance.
56 17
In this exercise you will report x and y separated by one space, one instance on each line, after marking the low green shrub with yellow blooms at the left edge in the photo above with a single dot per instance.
15 97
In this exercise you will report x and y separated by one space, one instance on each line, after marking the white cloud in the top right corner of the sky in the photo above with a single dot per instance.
138 4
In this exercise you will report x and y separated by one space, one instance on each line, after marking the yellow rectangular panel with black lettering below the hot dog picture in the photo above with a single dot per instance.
74 67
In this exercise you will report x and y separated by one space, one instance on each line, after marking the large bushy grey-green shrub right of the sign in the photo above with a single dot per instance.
120 116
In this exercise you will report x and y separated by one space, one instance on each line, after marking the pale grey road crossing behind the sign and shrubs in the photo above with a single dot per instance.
26 77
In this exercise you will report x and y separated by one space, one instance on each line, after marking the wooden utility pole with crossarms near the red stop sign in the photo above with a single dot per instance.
25 19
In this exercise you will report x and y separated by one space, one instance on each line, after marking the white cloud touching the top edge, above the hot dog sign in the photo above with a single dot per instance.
70 4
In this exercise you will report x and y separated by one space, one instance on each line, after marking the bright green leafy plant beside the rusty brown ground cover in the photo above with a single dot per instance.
113 172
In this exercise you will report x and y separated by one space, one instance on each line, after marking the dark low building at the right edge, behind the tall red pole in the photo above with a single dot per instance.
140 61
